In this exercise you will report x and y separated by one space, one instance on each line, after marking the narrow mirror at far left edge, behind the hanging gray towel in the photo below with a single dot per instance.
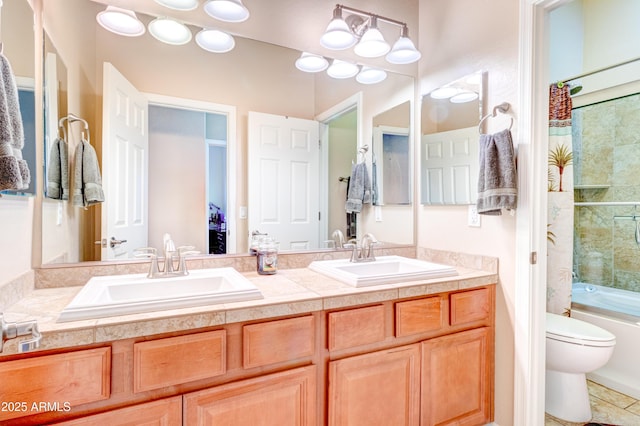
18 49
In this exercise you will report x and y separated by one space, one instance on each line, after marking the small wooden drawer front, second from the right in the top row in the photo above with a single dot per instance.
419 316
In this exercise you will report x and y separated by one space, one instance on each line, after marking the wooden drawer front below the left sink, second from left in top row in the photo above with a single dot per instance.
175 360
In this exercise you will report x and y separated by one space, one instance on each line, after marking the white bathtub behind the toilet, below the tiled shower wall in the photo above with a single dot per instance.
617 311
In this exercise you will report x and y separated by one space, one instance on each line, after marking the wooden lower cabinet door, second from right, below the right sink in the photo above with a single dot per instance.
380 388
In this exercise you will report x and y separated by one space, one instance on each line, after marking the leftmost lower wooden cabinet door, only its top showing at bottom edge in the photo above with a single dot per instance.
162 412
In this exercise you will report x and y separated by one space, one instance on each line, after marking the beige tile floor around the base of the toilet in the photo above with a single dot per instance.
607 407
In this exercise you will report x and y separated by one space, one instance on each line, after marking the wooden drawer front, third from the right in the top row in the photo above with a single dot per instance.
356 327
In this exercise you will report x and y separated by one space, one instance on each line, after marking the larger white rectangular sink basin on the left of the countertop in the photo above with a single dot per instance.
128 294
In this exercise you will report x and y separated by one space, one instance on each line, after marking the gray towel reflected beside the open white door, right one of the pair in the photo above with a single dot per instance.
87 186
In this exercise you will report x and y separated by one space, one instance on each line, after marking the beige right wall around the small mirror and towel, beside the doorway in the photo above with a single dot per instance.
459 37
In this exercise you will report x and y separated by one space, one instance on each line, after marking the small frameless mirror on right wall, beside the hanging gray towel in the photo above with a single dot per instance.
449 142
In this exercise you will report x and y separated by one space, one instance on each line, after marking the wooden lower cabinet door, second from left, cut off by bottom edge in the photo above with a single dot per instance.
287 398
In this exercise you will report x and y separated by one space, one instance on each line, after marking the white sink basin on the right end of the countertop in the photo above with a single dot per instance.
384 270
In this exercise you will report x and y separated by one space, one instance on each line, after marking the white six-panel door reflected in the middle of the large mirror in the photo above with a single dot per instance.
284 184
